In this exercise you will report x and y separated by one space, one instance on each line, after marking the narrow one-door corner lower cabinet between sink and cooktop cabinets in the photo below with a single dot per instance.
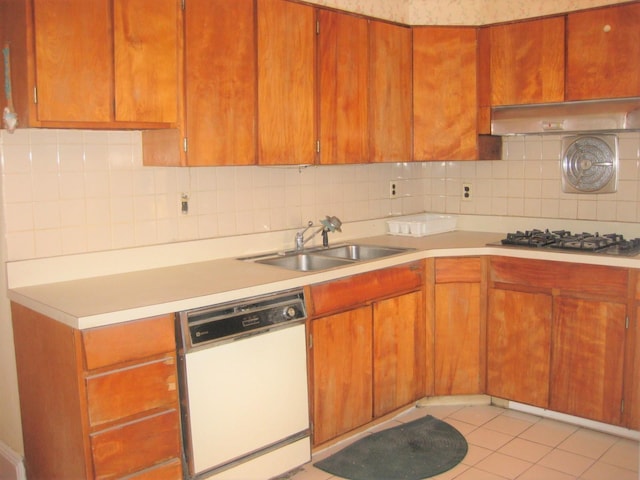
459 346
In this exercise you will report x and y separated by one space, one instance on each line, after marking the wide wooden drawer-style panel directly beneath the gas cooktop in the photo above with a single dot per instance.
579 279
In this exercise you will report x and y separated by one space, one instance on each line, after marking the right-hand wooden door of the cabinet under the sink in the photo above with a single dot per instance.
399 333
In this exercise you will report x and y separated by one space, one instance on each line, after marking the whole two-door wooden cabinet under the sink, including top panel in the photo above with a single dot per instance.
366 349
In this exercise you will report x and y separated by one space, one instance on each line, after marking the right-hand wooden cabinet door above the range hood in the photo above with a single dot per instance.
603 53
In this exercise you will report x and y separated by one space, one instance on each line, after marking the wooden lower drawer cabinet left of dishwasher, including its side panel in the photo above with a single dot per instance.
98 403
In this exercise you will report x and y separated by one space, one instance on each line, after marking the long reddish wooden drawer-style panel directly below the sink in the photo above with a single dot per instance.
361 289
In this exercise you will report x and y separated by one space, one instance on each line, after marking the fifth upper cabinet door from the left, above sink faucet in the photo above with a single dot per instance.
343 93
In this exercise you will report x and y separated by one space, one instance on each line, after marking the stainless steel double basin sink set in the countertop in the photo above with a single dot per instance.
326 258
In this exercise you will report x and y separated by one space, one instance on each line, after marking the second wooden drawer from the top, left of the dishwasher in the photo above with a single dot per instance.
131 391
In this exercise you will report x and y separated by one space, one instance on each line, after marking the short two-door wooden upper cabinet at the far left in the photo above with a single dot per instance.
110 63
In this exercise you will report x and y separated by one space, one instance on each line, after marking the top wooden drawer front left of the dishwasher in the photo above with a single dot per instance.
128 341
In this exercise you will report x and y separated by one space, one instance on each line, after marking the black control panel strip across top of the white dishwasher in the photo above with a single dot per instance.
237 319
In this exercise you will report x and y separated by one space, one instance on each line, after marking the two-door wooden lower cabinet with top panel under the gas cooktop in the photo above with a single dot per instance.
557 334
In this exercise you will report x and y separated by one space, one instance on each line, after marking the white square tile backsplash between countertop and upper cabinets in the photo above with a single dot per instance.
74 191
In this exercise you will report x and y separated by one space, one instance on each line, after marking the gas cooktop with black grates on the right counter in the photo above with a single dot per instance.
611 243
